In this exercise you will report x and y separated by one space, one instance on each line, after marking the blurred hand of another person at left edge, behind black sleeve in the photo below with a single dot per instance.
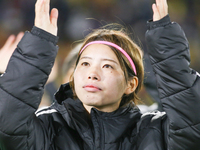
7 50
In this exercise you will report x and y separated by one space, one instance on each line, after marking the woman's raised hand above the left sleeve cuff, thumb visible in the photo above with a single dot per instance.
43 19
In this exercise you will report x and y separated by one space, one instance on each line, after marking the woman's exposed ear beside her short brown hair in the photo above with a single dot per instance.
131 86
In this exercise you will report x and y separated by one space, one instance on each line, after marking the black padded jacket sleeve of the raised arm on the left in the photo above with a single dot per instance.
21 87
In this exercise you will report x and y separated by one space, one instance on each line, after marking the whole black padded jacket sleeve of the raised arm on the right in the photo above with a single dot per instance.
178 84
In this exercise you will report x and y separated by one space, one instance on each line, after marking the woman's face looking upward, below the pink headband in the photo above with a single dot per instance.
98 78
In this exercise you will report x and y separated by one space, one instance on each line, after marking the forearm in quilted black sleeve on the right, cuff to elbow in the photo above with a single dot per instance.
169 54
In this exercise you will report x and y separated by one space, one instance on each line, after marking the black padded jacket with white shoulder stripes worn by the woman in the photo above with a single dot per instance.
66 125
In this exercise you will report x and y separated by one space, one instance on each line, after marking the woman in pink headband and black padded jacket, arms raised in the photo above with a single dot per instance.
96 111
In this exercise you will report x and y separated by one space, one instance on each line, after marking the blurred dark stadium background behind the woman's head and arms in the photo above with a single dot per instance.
78 17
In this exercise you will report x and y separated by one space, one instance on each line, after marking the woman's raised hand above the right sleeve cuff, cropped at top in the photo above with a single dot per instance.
160 9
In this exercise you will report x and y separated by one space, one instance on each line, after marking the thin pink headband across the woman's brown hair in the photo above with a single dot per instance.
115 46
